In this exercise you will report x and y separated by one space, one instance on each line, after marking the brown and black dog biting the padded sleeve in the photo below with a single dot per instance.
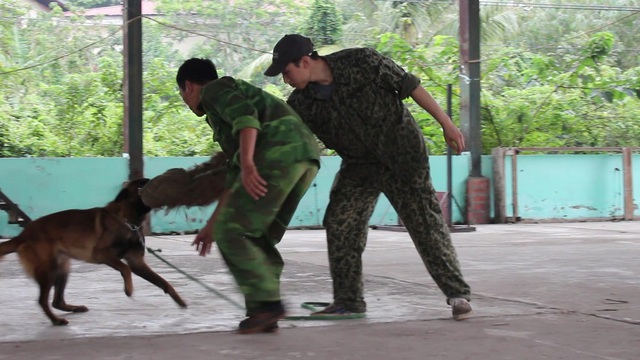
102 235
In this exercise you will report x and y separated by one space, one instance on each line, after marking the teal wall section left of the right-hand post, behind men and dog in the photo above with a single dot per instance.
41 186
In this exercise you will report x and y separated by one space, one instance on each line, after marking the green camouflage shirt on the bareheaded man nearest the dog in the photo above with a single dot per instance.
232 105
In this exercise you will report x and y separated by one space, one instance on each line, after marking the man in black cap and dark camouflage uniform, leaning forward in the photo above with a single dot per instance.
352 100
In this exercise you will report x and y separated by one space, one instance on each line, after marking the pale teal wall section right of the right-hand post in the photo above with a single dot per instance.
570 187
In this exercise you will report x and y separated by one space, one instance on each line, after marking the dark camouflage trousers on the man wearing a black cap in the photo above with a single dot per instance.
353 198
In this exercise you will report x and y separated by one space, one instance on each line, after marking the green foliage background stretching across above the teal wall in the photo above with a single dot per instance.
551 76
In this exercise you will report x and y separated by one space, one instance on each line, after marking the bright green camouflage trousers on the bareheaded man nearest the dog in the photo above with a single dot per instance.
247 230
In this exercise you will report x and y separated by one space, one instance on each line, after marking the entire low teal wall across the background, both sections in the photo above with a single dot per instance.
566 187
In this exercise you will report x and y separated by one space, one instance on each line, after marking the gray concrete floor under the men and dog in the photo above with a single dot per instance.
541 291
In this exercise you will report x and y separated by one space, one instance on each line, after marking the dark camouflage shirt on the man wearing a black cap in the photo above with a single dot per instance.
362 116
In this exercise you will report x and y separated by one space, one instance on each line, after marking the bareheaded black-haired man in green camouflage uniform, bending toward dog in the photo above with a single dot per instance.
273 158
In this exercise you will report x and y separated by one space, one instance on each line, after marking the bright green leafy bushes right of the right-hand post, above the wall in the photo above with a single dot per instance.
537 100
